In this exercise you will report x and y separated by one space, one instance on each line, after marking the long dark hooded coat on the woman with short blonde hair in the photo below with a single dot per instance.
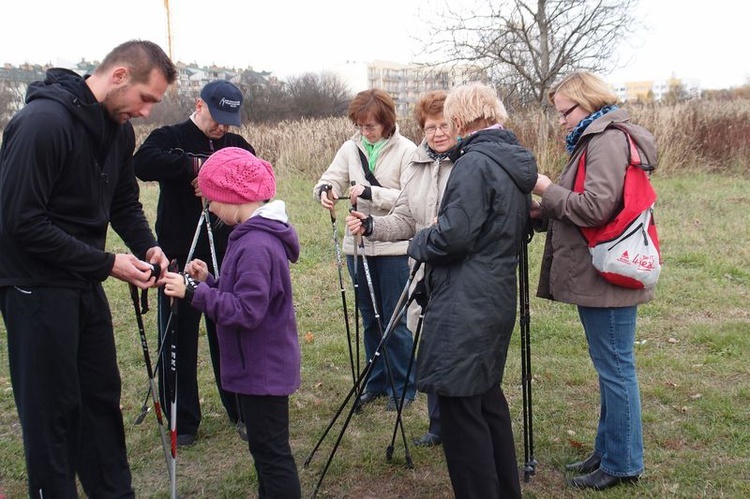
472 257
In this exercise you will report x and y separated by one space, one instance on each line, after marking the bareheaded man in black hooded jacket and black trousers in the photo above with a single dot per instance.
65 174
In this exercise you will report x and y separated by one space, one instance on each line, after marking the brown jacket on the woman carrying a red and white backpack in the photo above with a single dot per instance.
567 274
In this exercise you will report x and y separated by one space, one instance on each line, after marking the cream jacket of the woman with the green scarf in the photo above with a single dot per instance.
390 171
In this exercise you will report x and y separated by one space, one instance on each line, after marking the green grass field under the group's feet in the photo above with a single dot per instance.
692 347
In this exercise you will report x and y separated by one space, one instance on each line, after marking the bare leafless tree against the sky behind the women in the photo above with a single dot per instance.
525 45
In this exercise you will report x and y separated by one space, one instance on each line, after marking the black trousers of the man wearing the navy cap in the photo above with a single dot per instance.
187 324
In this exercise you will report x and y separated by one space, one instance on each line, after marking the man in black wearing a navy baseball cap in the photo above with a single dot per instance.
173 155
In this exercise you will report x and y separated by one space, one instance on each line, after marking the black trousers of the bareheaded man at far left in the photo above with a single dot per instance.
66 385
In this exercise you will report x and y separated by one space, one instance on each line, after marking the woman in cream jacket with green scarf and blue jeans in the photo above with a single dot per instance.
370 169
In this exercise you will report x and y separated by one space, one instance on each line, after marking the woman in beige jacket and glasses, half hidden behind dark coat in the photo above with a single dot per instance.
416 208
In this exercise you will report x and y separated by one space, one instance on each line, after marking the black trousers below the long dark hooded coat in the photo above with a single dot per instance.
478 445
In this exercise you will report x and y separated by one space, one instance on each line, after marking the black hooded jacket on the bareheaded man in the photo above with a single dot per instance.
65 173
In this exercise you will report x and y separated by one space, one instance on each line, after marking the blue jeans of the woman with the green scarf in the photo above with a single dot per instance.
389 277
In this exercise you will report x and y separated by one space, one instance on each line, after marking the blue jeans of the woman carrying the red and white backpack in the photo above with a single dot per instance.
610 333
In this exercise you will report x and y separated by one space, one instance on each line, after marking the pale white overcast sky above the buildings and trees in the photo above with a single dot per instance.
289 37
